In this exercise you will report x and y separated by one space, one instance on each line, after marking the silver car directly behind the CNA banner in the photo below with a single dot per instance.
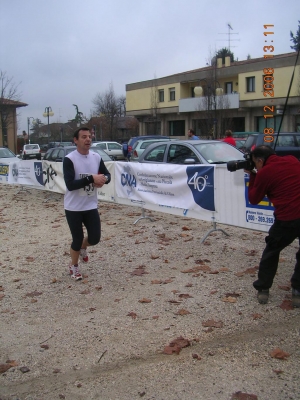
191 152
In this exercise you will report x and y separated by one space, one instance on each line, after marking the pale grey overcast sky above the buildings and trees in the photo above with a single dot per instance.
64 52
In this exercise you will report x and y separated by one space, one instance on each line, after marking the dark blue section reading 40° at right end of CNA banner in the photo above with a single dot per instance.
201 184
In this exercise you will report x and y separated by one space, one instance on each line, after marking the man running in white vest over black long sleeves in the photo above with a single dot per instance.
83 172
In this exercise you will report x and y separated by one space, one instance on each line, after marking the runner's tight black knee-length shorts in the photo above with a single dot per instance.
91 220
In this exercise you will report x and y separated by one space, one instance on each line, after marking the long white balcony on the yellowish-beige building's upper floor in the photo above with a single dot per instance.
194 104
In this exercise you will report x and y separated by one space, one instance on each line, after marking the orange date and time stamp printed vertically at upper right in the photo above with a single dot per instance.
268 74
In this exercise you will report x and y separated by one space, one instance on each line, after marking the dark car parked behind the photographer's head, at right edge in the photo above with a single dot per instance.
288 143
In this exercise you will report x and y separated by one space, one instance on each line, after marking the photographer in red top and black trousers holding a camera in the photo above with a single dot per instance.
279 179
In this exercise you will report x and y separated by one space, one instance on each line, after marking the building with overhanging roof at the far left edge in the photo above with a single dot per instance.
8 123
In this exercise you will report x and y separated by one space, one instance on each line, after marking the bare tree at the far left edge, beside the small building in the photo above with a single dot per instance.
8 94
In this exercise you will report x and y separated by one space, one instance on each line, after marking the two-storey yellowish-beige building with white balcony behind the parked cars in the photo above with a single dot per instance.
242 96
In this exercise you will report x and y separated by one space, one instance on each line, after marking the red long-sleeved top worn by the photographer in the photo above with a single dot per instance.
279 179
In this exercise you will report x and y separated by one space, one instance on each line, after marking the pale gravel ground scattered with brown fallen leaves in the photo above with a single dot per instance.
145 285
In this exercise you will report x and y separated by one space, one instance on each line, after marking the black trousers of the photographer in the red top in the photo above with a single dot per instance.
281 234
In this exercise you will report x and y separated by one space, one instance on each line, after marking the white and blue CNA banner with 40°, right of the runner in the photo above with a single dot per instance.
186 187
